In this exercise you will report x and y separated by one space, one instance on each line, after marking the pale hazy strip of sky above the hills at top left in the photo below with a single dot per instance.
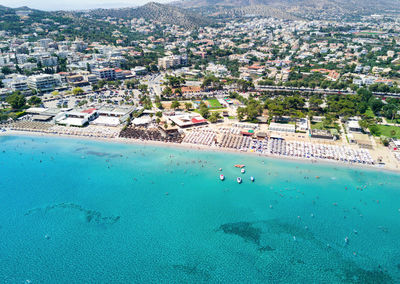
50 5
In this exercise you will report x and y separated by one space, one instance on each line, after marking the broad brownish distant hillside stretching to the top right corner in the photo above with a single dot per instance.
293 8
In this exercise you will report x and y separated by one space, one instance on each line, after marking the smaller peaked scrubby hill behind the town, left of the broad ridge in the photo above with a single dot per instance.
152 11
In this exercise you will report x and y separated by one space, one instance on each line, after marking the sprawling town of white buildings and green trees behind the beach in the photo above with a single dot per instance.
302 89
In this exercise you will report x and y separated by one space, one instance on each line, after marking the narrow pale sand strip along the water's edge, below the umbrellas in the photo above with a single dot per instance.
196 147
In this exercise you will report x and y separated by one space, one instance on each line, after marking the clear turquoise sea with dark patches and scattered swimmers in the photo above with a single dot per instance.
78 211
